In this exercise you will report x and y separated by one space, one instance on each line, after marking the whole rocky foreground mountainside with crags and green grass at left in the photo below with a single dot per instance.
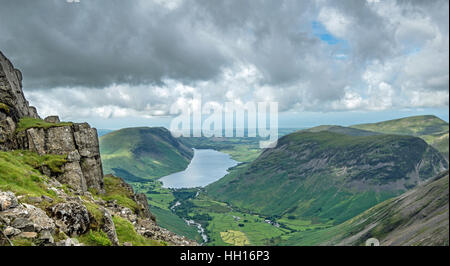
52 188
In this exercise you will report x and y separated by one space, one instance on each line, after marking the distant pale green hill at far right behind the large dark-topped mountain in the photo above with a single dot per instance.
428 127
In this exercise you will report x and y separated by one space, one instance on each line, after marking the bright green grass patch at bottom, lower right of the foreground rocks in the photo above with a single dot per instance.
126 233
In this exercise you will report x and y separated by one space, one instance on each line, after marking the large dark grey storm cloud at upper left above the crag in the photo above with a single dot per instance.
96 43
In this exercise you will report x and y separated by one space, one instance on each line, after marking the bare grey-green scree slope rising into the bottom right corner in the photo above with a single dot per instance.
418 217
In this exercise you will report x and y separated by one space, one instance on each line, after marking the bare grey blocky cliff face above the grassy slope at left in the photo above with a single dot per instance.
78 141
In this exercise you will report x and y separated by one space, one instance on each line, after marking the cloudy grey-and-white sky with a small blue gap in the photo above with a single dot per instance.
125 63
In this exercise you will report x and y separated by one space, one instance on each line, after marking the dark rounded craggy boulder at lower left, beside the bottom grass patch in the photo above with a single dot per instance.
72 218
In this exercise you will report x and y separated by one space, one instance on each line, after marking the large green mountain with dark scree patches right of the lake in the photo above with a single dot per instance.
326 176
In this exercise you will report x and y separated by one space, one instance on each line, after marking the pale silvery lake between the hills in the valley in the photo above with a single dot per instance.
206 167
